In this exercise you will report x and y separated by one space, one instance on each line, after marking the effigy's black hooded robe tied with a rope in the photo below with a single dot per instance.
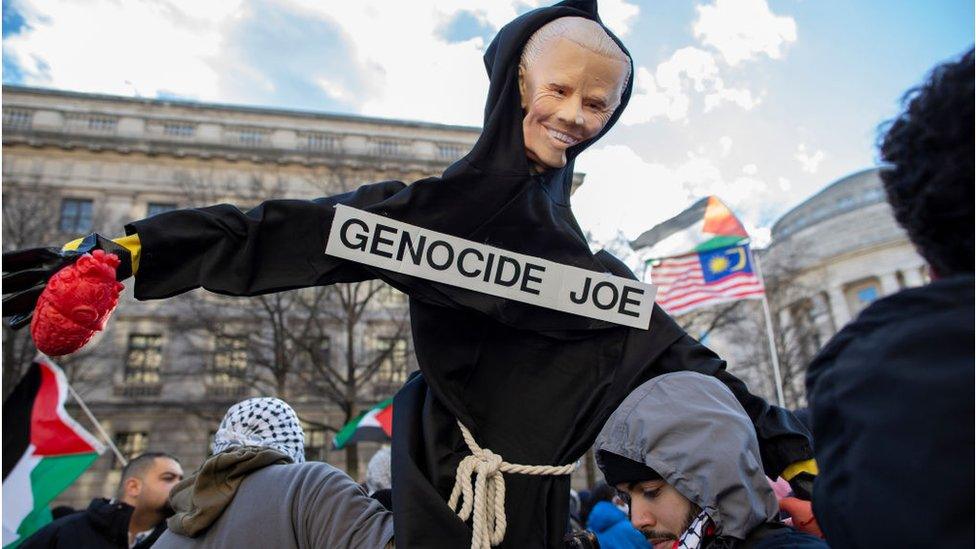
533 385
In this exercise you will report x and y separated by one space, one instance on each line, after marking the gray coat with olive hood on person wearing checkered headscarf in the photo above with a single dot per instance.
250 497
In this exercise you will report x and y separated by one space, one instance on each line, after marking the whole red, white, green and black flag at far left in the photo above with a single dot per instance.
44 450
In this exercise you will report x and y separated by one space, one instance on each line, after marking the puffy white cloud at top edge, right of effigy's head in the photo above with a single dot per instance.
743 29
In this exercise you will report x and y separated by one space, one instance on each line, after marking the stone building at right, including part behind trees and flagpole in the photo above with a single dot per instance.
829 258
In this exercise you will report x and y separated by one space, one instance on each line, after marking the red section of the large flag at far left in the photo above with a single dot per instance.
51 435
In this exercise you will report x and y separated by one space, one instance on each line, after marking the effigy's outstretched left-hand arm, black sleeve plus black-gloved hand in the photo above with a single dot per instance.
276 246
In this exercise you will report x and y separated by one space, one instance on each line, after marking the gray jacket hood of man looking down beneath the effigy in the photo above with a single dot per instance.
692 431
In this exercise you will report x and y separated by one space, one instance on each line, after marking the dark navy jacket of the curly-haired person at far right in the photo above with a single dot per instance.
892 402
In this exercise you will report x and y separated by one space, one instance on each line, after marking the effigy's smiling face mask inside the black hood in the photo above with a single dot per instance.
568 95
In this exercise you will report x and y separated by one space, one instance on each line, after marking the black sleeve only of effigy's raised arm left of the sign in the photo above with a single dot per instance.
278 245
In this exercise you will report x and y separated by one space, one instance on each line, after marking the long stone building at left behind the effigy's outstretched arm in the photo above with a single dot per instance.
76 162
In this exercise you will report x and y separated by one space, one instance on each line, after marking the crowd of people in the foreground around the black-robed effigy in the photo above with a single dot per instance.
890 404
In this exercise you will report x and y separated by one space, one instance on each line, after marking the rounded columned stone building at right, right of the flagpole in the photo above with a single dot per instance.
834 254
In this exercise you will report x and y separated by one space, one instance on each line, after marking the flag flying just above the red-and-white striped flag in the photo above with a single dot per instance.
706 225
